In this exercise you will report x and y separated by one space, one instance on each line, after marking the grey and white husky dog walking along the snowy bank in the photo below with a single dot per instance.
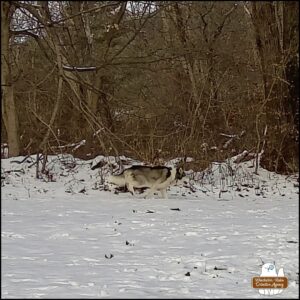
157 178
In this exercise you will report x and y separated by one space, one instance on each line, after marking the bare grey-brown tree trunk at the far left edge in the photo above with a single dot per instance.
9 113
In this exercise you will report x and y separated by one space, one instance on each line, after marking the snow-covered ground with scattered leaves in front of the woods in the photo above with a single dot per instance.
69 238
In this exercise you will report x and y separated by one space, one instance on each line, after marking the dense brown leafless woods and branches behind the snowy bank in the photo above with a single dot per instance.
152 79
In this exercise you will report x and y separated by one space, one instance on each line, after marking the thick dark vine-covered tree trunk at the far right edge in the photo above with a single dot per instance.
277 52
